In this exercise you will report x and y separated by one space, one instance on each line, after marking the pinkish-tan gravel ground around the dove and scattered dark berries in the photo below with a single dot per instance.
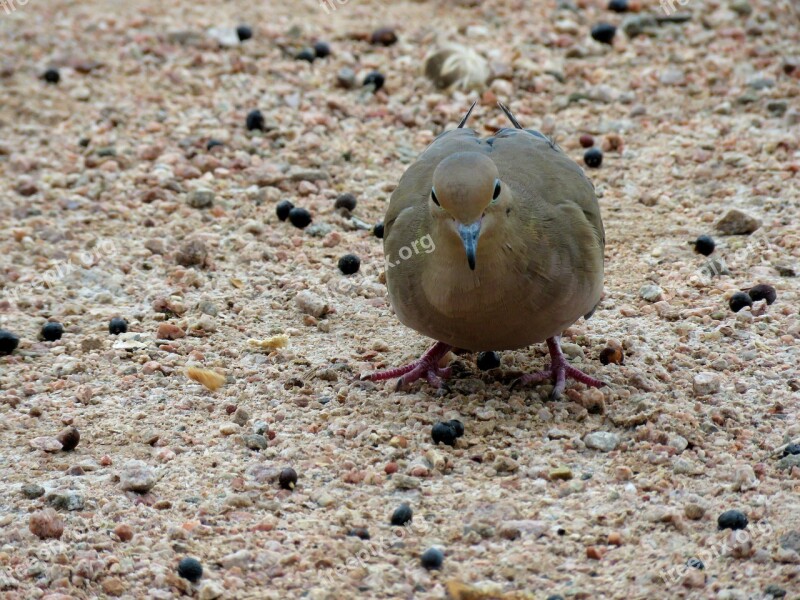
112 205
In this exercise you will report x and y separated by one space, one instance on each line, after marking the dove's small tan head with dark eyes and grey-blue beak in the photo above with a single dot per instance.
466 197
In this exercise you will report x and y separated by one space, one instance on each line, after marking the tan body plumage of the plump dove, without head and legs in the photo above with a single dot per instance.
539 262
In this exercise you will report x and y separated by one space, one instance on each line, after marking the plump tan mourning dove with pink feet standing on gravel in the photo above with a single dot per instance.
493 244
